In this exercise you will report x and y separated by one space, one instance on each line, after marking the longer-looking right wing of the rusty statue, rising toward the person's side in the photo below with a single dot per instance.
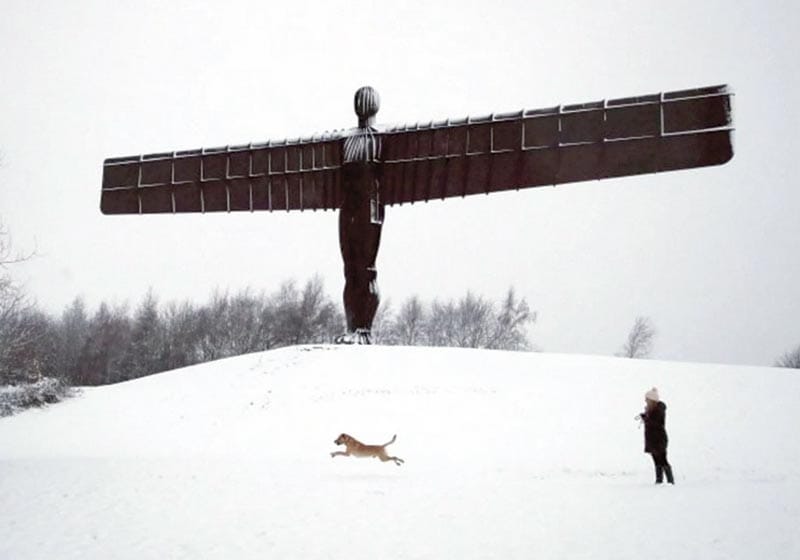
530 148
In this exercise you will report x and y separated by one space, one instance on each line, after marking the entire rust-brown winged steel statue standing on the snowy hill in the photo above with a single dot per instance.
361 170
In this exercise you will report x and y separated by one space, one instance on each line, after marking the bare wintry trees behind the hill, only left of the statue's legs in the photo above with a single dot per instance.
116 343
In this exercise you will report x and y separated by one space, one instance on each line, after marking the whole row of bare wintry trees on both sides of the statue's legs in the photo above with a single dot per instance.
116 343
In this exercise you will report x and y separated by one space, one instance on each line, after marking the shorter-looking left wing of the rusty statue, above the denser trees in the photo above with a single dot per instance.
300 174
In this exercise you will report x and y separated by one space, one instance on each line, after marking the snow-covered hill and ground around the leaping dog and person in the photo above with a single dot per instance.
508 455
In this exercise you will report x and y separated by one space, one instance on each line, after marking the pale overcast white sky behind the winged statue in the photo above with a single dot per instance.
711 255
